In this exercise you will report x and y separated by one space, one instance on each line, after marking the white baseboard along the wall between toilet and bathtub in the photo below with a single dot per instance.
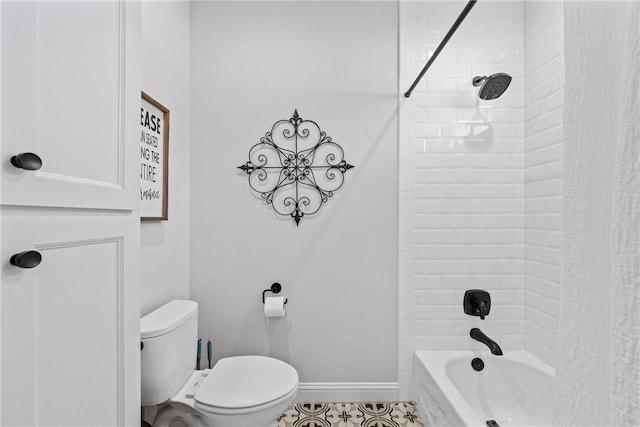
347 392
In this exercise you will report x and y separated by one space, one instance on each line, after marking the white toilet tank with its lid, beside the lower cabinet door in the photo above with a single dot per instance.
168 356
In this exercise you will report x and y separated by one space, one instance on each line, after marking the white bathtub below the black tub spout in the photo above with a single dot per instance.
513 390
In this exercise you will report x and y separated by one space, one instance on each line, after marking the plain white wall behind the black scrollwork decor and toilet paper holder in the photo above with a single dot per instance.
252 65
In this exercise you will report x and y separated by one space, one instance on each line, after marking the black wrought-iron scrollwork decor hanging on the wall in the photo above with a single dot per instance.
296 167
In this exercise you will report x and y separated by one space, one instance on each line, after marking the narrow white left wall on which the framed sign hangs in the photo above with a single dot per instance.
165 77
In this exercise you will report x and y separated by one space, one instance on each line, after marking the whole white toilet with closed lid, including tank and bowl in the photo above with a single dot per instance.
240 391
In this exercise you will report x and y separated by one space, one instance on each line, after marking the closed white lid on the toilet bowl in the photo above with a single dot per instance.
245 381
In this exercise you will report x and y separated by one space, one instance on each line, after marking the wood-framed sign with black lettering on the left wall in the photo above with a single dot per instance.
154 159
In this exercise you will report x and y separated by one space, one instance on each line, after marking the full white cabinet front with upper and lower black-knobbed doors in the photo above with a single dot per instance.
69 330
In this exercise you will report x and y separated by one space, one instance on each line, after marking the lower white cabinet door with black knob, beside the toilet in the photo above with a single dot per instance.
70 326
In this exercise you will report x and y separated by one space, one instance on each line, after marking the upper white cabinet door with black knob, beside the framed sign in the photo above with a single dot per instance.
71 95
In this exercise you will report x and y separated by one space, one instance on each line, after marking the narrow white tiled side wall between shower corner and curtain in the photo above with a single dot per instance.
544 85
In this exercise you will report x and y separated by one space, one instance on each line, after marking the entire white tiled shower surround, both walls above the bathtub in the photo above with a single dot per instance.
478 179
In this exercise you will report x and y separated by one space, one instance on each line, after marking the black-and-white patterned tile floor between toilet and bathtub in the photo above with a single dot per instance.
361 414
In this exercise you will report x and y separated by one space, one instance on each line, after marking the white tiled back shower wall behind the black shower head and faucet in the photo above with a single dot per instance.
461 178
